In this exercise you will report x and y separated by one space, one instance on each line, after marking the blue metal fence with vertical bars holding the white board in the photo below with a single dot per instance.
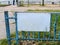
44 36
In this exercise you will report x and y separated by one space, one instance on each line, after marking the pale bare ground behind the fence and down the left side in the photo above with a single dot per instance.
12 9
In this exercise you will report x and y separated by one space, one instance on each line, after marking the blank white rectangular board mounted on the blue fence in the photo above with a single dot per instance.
33 21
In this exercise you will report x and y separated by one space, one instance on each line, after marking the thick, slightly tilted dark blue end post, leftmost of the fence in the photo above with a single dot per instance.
7 27
